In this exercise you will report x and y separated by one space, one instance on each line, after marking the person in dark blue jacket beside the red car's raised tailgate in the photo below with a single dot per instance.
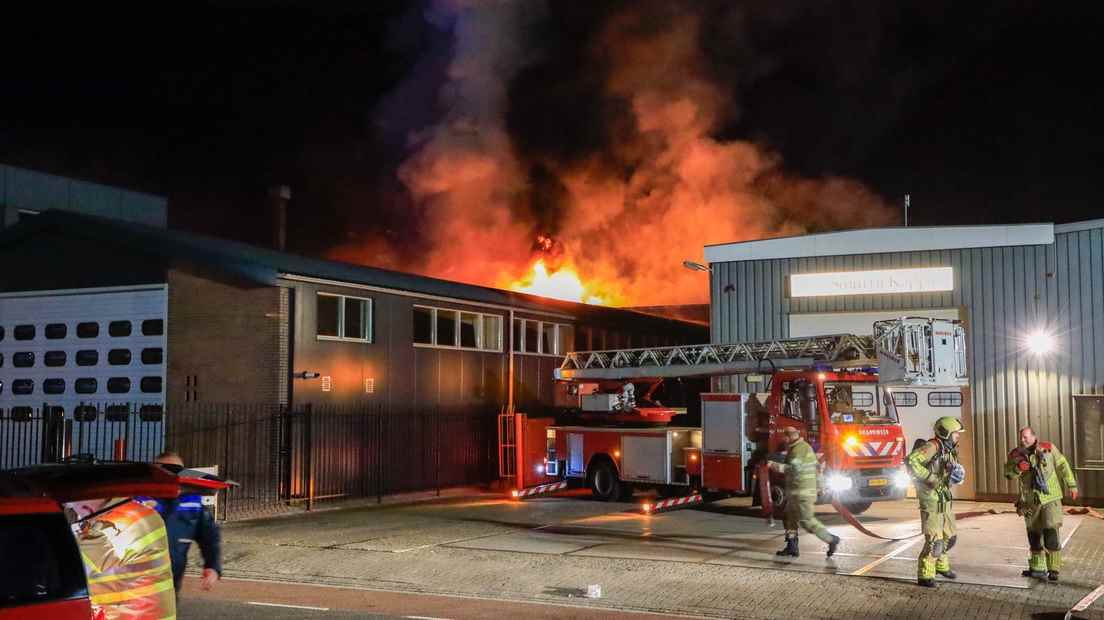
188 522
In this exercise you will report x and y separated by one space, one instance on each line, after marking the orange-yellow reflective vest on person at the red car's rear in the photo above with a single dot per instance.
126 559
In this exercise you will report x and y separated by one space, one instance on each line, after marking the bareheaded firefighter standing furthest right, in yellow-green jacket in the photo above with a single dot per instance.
1043 472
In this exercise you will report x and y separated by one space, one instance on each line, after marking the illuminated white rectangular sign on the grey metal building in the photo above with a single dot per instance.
929 280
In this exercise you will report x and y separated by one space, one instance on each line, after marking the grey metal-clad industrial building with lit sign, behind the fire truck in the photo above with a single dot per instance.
1032 298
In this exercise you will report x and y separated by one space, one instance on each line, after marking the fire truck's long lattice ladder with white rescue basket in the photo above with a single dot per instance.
909 351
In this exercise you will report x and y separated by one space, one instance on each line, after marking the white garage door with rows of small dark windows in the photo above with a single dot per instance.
62 354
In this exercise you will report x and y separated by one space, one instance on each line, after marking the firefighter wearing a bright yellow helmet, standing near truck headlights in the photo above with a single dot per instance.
935 467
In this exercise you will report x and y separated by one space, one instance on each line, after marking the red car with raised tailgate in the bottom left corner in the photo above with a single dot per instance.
41 573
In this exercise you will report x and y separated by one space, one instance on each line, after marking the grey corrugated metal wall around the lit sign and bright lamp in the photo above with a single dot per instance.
1003 294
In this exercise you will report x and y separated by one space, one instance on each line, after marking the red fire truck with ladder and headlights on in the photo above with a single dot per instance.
836 390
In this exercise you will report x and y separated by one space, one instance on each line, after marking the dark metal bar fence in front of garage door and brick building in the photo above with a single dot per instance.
282 458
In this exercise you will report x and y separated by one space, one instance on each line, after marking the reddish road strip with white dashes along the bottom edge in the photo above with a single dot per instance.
241 598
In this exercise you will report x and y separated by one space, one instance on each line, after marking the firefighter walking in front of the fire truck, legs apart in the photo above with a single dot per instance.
801 471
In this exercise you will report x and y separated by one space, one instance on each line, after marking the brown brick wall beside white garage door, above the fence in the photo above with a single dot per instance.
227 341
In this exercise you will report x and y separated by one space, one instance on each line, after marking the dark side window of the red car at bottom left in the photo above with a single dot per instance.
41 561
